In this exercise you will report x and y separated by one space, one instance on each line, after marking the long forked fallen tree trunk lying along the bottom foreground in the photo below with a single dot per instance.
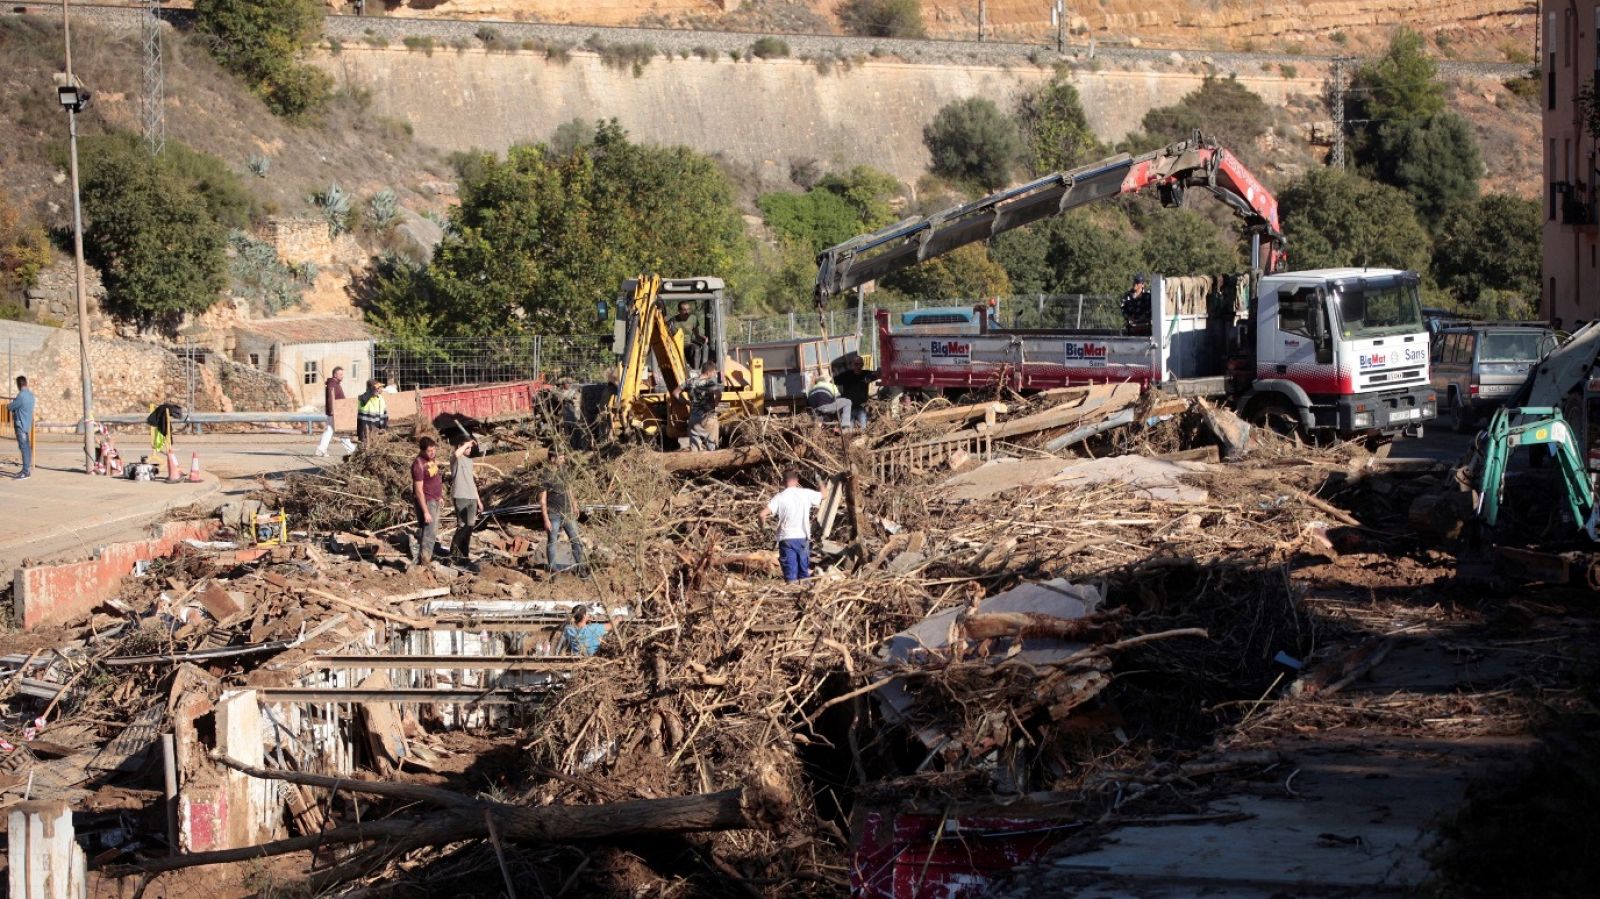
762 804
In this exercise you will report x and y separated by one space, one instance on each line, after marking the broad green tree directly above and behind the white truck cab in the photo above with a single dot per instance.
1335 218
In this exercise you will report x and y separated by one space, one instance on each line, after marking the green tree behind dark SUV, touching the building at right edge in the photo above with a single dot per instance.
1490 247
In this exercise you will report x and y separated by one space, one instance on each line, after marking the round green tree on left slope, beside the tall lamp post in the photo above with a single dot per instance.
153 234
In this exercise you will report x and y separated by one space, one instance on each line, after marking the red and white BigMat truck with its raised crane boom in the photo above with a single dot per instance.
1334 350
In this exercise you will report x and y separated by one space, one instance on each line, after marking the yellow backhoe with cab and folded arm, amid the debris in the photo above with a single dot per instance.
666 329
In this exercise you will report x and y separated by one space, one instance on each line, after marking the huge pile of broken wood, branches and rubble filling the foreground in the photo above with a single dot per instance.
1098 625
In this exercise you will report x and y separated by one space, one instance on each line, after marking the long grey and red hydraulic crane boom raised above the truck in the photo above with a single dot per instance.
1170 170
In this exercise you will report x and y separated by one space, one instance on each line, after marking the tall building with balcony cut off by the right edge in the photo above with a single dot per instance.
1570 66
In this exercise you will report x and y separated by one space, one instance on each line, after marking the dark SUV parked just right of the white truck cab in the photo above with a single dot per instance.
1478 366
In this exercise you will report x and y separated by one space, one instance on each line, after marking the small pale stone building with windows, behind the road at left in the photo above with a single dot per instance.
306 351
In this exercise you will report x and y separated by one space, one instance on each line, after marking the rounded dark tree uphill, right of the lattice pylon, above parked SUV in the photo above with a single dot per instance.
1436 161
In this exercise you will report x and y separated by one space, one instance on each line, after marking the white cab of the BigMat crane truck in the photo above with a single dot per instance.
1342 350
